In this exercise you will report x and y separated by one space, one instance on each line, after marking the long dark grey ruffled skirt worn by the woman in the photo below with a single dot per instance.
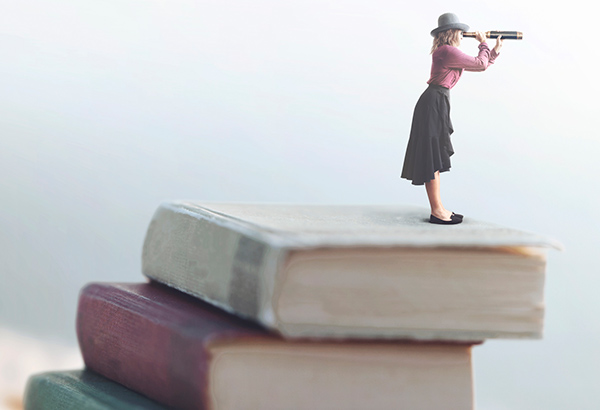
429 148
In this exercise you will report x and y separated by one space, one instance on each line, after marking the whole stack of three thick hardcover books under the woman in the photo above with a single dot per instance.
254 306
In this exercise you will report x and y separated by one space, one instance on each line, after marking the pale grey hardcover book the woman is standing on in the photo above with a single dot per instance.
364 271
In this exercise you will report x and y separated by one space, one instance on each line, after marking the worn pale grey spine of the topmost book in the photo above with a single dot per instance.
213 259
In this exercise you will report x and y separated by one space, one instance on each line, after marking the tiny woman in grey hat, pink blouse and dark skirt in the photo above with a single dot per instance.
429 146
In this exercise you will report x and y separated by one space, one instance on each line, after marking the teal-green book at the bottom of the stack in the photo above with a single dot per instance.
82 390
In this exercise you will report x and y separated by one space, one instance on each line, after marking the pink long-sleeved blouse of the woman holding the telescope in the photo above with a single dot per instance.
448 63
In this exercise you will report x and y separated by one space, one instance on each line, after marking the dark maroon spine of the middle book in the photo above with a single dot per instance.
132 340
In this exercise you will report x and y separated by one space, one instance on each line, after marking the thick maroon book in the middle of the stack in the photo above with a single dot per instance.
187 354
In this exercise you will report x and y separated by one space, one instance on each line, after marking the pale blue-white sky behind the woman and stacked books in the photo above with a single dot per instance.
109 107
